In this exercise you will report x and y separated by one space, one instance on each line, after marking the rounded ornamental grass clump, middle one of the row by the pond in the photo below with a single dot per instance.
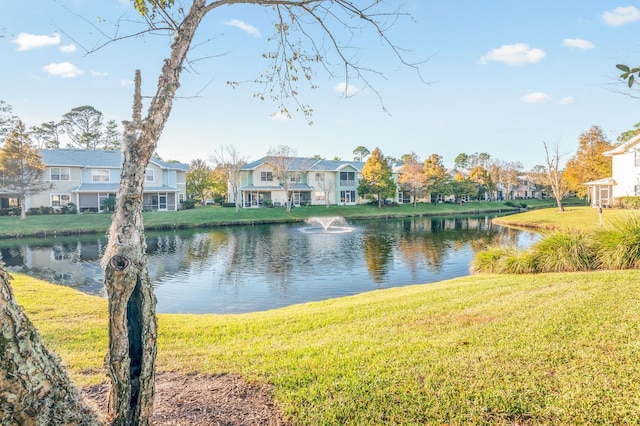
564 251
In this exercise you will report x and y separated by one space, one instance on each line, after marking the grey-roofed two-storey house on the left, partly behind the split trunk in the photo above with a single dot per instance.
88 177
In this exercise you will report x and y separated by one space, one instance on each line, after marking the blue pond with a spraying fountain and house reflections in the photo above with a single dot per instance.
255 268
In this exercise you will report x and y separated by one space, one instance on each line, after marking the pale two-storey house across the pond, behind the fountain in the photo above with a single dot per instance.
311 182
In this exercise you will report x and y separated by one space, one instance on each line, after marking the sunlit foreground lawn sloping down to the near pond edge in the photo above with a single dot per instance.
543 349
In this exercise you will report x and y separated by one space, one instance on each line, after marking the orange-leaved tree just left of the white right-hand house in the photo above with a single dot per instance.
588 163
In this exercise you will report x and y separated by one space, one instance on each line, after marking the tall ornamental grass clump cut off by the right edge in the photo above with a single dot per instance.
618 246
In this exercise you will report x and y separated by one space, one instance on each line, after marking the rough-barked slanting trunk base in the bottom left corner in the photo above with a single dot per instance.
34 388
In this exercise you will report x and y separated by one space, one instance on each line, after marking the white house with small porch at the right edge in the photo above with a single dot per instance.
625 175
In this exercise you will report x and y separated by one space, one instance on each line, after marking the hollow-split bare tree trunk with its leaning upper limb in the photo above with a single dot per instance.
132 303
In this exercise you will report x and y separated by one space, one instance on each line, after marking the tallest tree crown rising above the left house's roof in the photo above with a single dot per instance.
83 126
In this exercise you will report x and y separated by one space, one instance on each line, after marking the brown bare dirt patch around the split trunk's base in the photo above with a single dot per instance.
199 400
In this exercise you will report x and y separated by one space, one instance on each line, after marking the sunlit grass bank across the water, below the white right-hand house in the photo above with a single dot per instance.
581 218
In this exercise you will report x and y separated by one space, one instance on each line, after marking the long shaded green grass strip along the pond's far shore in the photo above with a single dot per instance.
11 226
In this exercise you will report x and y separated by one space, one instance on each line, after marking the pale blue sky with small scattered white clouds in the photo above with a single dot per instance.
501 77
